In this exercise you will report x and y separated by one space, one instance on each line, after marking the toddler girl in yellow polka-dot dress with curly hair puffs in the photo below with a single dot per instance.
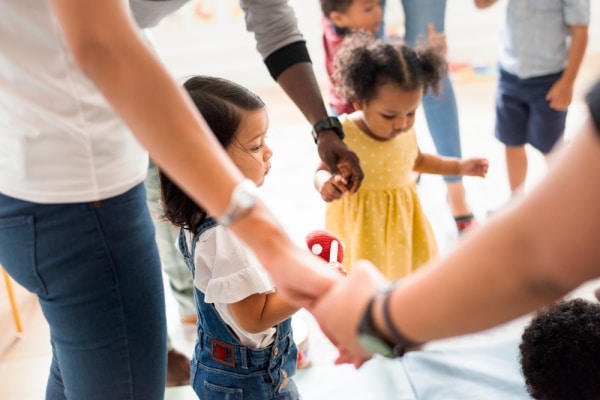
383 221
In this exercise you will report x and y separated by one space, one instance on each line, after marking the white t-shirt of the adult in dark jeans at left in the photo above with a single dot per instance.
60 141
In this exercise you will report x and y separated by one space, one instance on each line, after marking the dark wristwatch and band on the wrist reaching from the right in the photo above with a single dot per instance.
372 339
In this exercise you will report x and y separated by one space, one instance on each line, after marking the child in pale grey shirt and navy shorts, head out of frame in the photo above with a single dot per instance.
542 45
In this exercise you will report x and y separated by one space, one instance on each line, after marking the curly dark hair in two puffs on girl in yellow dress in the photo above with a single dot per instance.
364 63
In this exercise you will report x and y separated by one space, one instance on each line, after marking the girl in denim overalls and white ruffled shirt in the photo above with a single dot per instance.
244 344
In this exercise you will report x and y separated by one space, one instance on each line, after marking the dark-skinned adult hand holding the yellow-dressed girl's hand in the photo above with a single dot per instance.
340 160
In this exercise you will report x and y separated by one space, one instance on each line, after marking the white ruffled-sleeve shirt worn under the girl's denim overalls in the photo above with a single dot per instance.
227 271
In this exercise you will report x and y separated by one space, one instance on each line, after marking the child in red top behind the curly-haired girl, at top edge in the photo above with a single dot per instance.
341 17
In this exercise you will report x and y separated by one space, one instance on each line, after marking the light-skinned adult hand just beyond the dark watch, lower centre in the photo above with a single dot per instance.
340 309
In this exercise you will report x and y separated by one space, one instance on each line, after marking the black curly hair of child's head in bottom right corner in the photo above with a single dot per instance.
560 351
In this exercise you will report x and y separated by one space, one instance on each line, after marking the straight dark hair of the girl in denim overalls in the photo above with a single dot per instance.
222 103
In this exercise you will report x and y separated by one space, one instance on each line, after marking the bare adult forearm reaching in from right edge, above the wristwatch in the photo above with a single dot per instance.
525 257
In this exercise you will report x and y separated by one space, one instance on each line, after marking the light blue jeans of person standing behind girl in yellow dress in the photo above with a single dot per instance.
441 110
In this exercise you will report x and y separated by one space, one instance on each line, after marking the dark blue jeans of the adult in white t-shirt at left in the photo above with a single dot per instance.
96 272
